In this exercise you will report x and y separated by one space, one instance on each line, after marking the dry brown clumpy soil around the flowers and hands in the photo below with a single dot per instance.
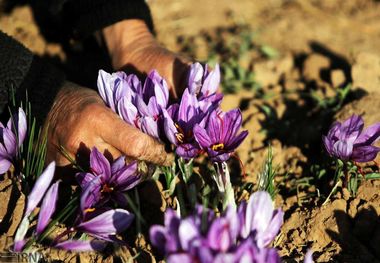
323 46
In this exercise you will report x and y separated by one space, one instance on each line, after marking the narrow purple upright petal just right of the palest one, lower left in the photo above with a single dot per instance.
47 208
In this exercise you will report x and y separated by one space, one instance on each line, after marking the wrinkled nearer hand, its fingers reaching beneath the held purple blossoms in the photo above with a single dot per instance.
79 119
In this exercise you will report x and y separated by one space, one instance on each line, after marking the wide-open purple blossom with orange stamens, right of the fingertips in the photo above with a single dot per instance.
219 138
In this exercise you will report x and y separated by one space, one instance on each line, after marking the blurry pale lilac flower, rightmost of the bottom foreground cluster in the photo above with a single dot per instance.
259 219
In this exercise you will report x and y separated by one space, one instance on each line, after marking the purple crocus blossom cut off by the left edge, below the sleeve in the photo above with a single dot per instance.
11 138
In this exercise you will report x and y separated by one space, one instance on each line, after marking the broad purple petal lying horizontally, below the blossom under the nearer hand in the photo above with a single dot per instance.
108 223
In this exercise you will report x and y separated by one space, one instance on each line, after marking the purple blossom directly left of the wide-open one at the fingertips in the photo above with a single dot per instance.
179 121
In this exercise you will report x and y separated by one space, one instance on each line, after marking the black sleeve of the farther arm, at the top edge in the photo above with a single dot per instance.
80 18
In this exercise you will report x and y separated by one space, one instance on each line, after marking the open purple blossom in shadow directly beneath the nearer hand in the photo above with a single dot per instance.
111 181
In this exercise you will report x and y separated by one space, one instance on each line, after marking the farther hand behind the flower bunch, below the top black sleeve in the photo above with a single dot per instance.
132 45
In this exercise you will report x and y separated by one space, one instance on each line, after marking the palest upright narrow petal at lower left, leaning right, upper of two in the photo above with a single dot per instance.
40 188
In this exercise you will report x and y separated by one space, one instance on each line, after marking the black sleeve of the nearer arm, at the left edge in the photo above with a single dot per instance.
27 76
